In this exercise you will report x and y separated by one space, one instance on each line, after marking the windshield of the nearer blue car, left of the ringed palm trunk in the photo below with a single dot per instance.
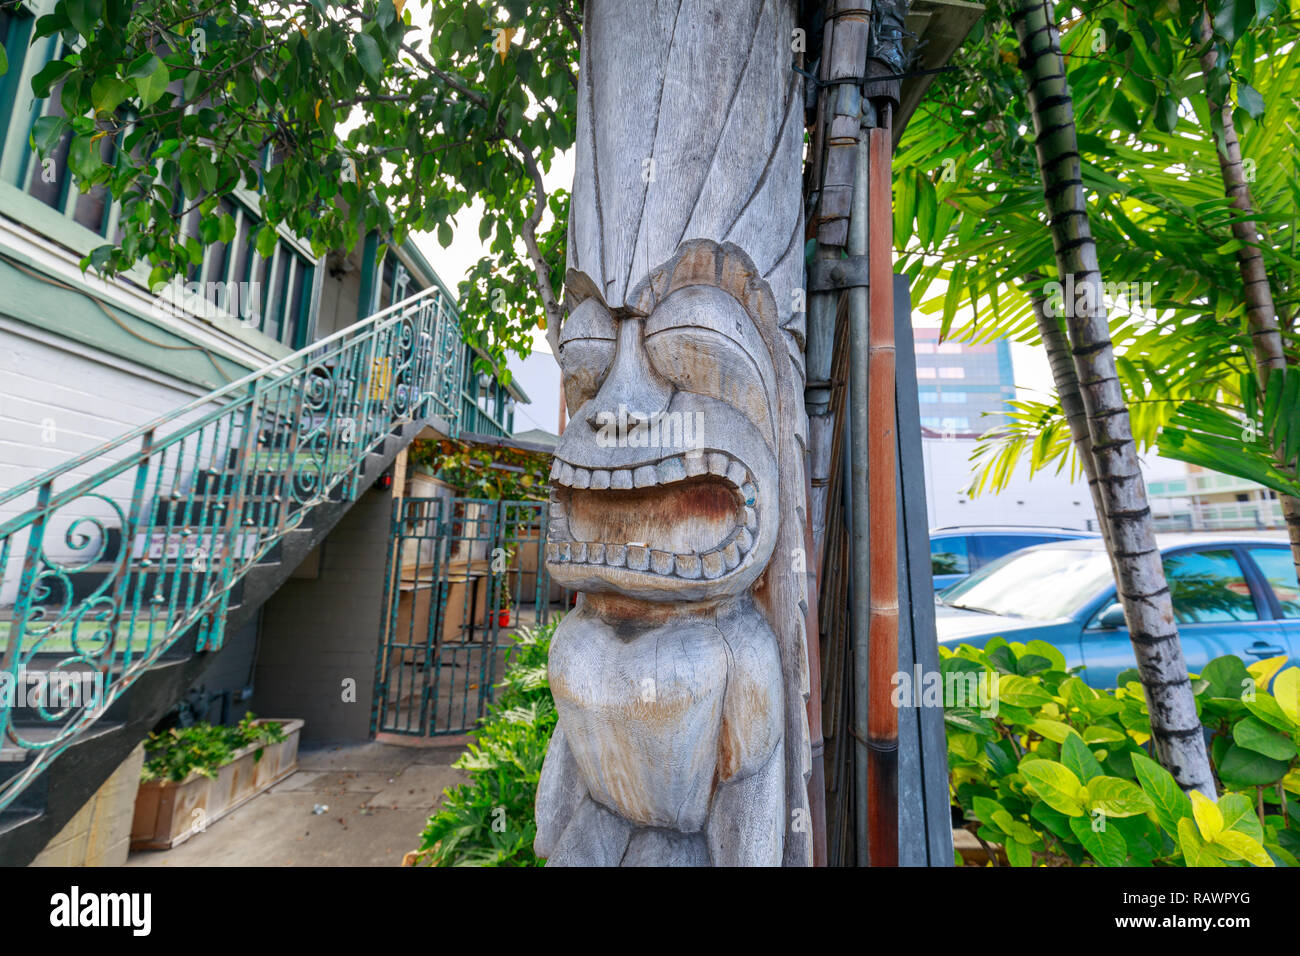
1046 583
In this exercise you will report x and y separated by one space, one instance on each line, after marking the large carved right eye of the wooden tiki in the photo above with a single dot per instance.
704 341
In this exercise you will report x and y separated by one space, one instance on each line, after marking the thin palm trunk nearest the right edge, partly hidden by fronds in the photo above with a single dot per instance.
1260 312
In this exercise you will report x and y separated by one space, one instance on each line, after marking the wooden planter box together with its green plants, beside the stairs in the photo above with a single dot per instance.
196 776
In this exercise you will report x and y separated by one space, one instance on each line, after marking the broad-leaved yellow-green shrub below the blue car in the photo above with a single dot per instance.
1063 775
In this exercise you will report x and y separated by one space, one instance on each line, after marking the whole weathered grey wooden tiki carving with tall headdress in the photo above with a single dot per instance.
678 508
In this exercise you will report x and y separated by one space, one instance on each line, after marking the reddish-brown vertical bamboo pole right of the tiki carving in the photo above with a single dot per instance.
883 656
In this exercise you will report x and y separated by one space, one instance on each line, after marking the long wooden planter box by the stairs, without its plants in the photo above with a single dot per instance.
168 814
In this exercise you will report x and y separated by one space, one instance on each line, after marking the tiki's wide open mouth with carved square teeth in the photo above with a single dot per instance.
686 517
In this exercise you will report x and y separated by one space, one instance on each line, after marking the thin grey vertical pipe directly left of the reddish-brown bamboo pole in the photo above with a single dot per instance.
860 514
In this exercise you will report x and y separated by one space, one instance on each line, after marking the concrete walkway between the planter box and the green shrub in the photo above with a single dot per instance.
380 797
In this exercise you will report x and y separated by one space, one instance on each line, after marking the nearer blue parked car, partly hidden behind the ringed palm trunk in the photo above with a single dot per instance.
1233 595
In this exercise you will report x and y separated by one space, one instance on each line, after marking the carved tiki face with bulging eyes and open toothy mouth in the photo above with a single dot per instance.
666 481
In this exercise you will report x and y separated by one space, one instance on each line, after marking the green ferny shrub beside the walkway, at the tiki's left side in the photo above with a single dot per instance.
489 820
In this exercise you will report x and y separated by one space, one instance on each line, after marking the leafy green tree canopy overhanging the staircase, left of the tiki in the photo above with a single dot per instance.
343 118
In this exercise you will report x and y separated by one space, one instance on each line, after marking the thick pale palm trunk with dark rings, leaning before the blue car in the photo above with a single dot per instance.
1141 577
